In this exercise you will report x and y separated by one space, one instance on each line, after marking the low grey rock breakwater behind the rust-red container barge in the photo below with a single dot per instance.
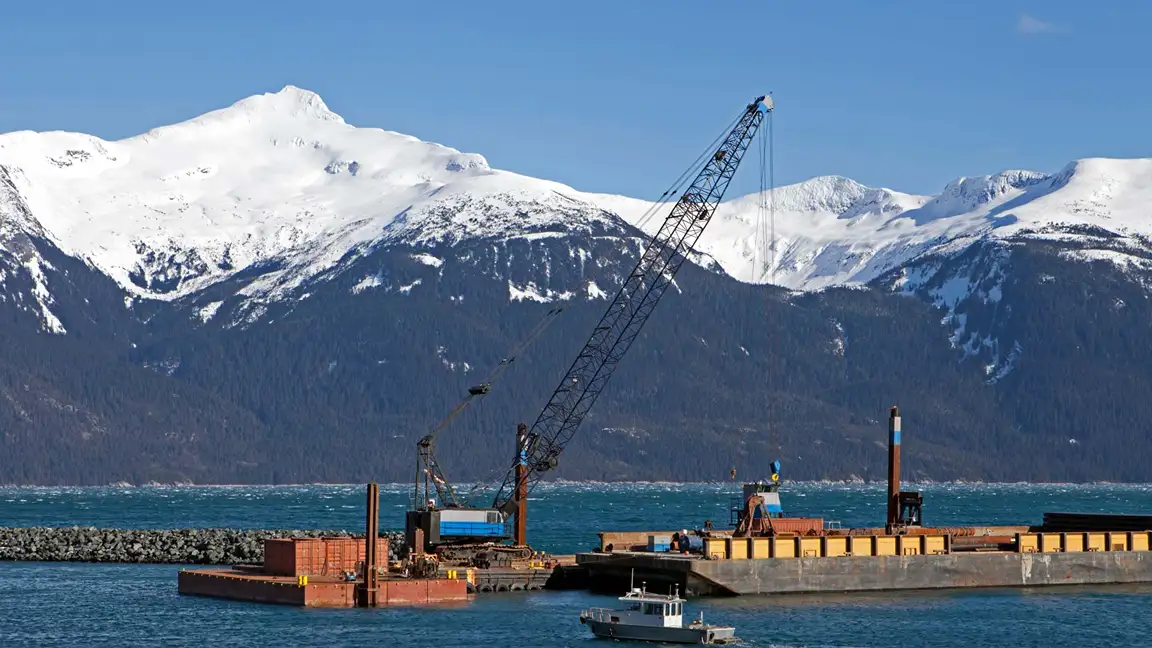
183 547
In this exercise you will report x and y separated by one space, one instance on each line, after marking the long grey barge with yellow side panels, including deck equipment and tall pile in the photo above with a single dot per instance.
771 554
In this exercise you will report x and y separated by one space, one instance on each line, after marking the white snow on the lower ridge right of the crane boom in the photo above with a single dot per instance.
832 231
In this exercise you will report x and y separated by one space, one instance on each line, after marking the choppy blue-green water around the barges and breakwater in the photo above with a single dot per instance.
93 605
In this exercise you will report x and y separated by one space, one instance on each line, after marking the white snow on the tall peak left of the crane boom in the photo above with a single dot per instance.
272 178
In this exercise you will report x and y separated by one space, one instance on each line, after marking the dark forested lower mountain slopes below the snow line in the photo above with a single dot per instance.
340 386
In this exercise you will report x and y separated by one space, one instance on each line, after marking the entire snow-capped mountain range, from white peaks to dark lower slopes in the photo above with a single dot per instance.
264 272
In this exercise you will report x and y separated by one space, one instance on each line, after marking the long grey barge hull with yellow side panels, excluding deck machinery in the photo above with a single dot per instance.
764 566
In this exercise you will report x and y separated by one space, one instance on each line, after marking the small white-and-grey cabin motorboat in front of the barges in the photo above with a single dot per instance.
654 617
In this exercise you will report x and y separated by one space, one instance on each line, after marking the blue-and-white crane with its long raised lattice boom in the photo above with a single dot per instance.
461 530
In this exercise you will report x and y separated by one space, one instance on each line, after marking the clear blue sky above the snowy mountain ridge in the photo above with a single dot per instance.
619 96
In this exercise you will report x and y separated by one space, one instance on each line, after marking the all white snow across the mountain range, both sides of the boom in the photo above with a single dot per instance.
281 184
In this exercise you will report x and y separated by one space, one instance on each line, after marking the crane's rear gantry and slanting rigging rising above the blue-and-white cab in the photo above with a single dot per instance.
429 474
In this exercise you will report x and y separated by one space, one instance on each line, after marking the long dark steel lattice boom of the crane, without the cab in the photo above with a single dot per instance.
630 311
